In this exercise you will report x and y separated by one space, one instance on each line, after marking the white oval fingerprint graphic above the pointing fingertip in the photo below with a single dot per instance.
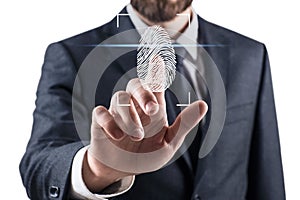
156 62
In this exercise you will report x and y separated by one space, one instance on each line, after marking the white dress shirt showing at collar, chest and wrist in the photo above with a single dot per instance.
78 187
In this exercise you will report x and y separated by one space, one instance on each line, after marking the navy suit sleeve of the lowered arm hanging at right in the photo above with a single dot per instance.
265 168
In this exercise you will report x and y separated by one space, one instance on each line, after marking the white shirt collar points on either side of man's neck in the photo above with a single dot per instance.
190 34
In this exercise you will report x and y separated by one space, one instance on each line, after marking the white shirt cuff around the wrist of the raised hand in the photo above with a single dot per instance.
80 190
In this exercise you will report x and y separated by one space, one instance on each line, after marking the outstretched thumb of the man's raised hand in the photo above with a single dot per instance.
185 122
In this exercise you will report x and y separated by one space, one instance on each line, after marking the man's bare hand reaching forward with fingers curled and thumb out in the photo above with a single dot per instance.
133 136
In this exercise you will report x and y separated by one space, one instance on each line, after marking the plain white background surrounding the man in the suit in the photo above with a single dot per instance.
27 27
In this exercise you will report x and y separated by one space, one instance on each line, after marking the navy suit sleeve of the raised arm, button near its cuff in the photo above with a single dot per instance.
45 167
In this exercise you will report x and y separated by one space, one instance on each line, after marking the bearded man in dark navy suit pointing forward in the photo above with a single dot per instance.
245 163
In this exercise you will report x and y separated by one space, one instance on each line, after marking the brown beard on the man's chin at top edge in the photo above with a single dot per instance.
160 10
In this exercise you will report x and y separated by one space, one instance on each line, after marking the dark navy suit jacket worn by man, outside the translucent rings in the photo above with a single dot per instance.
245 163
